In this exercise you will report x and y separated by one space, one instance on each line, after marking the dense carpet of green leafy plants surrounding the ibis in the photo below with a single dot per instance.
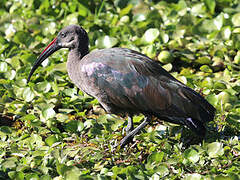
50 130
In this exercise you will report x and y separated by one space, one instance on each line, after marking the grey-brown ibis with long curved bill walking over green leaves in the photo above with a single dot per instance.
128 82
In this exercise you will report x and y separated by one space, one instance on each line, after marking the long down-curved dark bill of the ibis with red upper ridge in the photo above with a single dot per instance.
50 49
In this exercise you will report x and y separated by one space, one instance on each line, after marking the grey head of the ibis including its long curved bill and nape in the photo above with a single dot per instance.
72 37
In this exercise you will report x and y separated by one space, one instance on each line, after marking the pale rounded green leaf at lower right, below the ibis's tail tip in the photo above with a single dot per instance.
215 149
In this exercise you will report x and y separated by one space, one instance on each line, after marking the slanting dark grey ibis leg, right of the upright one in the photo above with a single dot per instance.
131 134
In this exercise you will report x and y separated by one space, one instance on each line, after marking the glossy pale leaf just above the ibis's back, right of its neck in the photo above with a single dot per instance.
106 42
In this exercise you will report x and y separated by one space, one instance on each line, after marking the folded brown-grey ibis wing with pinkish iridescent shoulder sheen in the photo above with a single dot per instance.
131 81
